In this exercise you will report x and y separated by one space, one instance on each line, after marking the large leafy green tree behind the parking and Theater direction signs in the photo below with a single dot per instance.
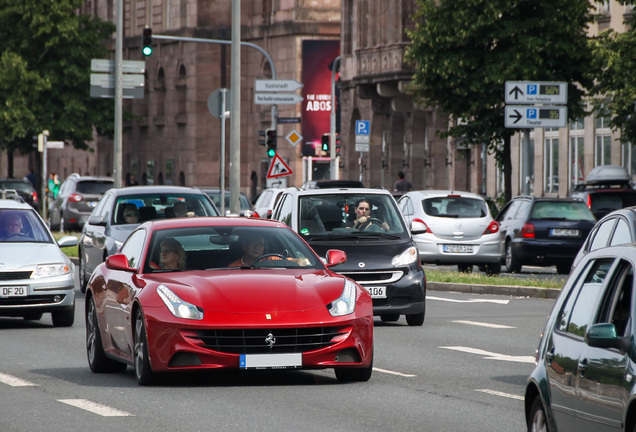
465 50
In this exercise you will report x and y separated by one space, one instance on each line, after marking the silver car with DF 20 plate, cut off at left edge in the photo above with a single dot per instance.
35 275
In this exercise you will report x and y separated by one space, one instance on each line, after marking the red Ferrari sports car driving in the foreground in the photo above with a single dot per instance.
204 293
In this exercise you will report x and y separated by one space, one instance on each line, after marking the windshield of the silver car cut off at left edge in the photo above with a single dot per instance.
22 226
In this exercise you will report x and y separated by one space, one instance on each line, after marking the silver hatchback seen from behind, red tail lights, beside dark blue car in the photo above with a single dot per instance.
460 229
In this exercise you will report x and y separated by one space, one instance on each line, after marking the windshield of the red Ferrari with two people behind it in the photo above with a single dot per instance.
222 247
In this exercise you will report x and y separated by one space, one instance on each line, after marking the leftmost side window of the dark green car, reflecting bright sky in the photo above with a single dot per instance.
578 310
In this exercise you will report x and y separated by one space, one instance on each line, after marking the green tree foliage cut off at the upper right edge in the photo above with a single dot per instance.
615 90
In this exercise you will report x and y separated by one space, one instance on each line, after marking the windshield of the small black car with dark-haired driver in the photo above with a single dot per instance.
340 215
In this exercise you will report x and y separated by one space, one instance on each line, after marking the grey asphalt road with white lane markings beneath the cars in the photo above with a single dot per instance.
464 370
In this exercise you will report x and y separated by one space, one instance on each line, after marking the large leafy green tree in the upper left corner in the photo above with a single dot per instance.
45 82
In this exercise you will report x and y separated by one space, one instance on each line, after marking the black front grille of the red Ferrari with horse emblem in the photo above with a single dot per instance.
259 341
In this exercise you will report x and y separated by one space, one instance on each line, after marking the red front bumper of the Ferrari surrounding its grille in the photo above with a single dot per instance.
181 346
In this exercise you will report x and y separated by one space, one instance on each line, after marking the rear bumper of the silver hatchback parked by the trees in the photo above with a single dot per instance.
432 251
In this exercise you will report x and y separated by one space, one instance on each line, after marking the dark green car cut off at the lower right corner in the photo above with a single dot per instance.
586 360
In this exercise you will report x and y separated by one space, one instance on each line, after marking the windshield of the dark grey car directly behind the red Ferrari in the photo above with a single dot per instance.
161 206
